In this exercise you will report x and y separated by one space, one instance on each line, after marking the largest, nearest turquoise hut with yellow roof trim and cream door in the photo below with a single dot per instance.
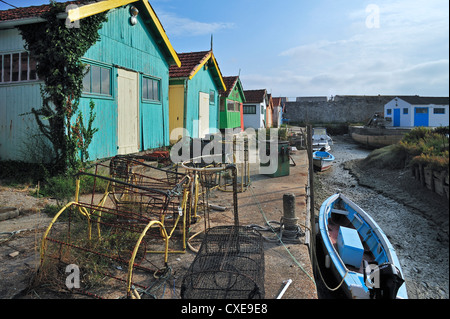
128 79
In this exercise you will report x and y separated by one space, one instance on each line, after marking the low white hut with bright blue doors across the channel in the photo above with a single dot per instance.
415 111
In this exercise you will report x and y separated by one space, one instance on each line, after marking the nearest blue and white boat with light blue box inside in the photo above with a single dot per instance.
358 252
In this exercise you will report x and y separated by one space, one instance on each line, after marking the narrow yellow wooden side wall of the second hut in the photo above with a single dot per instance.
176 111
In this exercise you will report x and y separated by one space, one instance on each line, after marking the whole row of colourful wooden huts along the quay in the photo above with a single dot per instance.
142 88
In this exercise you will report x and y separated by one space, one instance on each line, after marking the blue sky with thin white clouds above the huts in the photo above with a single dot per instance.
309 48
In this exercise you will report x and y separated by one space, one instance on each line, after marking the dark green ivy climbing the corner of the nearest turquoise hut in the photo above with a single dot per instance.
58 49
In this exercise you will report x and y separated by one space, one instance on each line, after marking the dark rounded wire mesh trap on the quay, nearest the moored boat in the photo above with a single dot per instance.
229 265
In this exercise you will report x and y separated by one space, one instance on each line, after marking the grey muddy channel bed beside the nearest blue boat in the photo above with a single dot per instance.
414 218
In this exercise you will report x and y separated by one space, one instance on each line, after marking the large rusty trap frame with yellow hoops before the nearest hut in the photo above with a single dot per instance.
117 239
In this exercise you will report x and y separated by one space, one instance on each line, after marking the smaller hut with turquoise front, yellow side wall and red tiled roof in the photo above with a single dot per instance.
194 95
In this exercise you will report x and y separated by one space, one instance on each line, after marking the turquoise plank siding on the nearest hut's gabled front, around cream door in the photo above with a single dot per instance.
132 48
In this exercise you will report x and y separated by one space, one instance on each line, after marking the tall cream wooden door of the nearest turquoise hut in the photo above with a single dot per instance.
128 112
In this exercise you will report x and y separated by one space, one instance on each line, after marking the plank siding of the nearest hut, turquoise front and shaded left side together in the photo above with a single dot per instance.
121 46
